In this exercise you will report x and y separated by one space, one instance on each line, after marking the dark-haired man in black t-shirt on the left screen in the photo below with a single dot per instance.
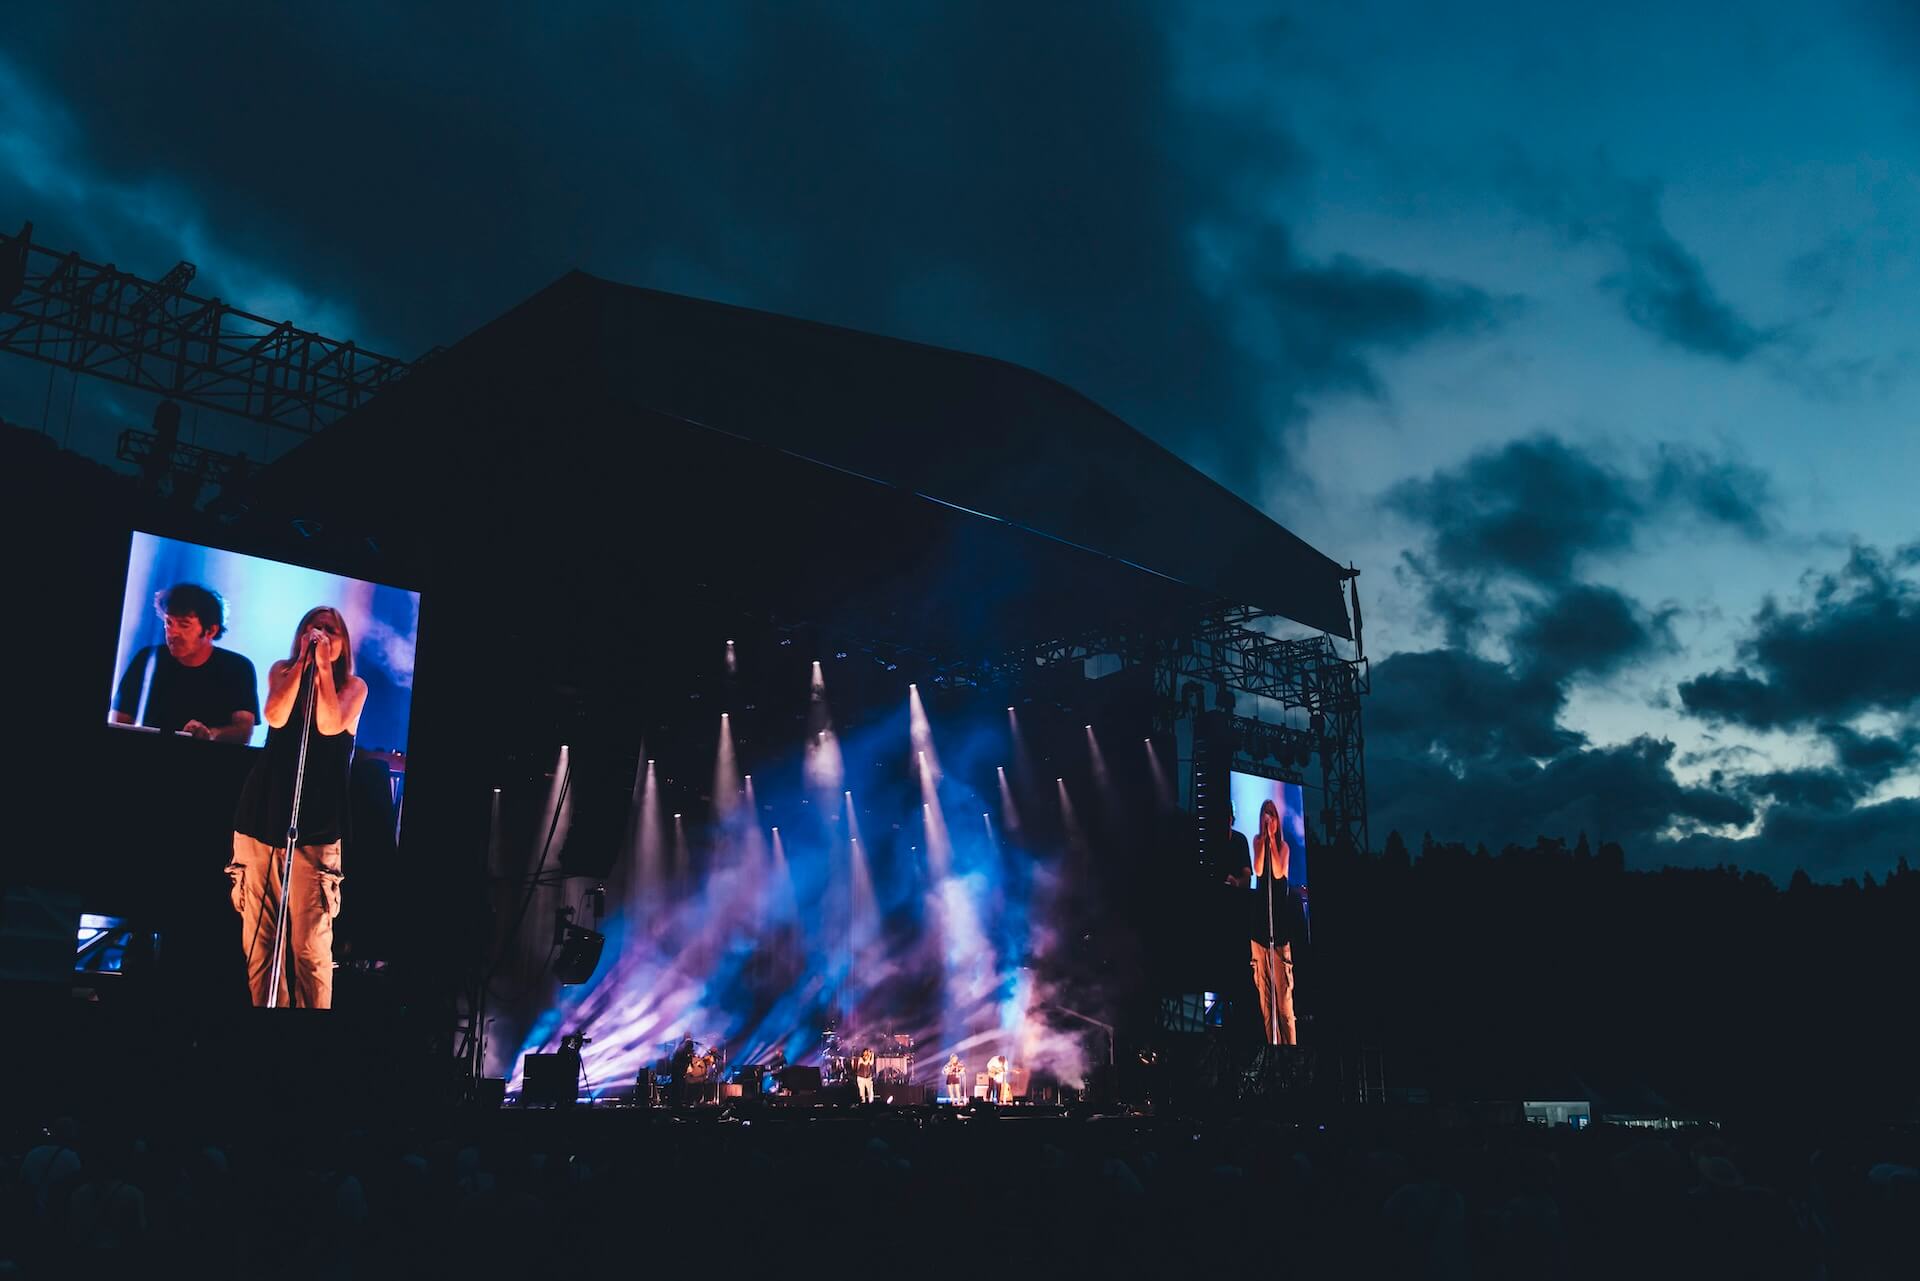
189 685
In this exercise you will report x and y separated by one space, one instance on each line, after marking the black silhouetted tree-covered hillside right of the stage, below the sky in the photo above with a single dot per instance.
1560 971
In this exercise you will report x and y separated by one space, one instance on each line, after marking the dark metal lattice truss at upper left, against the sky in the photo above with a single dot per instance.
156 337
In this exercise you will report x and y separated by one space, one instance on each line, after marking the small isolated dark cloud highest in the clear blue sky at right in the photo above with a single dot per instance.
1660 283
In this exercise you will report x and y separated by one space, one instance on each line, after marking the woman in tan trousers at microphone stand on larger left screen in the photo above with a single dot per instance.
320 671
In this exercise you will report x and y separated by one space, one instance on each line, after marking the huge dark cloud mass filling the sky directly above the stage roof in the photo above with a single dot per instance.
1026 181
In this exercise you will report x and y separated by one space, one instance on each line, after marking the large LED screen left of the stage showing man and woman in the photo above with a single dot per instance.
308 679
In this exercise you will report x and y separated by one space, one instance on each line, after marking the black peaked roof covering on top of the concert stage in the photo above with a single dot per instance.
588 358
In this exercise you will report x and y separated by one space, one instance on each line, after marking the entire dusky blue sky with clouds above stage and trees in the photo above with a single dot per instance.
1589 337
